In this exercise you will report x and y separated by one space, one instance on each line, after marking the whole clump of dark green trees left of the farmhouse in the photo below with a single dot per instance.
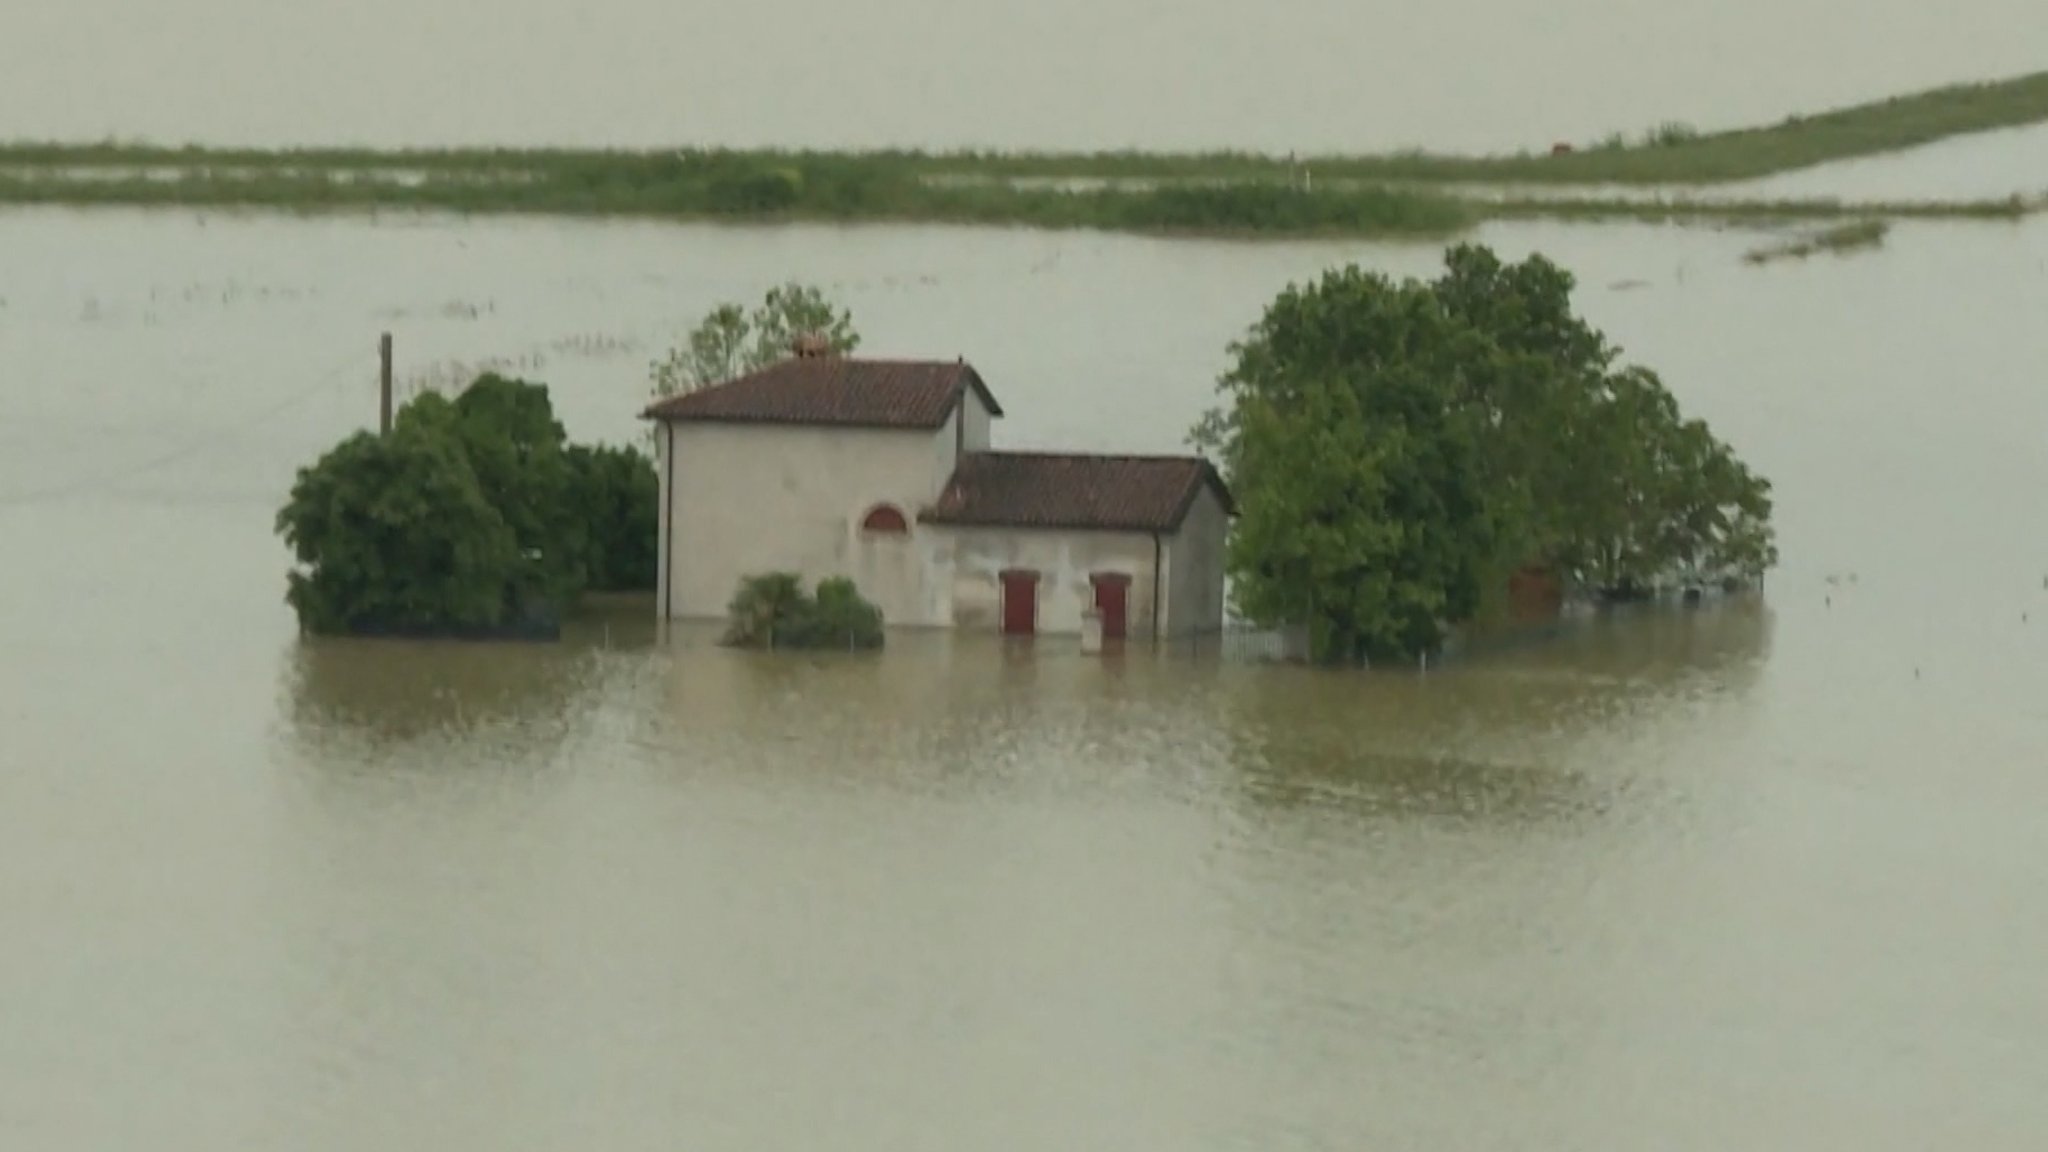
472 516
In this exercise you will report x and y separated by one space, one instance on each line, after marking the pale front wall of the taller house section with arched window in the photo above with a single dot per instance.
753 499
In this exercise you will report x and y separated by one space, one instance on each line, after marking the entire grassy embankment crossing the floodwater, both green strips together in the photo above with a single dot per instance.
1162 194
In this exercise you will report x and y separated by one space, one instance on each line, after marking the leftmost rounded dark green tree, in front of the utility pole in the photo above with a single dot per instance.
396 532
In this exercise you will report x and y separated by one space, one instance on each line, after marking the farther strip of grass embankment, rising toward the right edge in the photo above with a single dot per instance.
1670 155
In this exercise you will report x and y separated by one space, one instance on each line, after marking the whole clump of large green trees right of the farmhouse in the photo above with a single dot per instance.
1400 450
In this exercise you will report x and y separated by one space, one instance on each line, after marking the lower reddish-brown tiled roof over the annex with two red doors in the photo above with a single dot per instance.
1054 491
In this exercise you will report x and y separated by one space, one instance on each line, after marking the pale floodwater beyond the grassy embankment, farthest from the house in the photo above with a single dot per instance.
1291 75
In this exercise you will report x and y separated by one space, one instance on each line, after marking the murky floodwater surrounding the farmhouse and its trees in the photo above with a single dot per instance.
1756 876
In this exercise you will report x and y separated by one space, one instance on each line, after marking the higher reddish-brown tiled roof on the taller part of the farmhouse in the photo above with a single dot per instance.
835 390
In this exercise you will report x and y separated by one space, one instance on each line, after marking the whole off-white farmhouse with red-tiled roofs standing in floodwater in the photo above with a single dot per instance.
882 470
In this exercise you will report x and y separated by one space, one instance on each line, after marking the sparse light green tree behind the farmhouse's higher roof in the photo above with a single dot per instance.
730 341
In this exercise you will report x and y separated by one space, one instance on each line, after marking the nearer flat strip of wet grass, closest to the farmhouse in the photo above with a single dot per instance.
839 196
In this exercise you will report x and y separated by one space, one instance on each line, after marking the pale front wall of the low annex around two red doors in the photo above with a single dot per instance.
976 561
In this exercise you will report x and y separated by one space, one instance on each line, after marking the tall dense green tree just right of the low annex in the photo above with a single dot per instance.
1359 485
